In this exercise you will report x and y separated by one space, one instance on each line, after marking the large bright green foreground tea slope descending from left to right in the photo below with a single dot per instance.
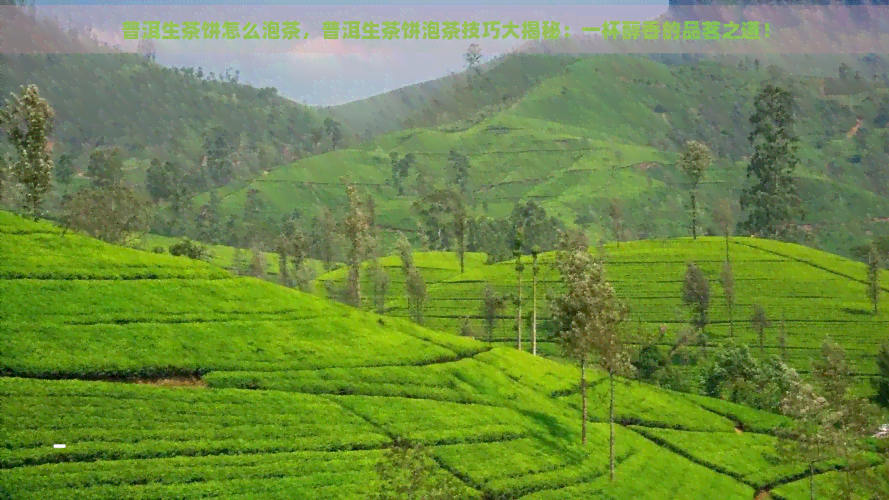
330 387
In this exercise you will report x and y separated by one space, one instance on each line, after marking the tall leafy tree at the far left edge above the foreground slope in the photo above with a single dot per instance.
27 121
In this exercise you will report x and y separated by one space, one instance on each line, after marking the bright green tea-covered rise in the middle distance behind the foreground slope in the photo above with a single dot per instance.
816 294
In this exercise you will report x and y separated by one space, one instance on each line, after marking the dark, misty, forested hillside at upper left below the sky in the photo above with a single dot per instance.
105 97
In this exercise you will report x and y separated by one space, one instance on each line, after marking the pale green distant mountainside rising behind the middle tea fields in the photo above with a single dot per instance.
576 140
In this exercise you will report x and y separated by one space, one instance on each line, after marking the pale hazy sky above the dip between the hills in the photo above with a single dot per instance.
321 71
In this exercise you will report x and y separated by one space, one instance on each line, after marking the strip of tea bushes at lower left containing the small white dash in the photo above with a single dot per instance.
102 421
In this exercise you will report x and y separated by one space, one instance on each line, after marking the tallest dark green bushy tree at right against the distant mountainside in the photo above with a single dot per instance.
772 203
